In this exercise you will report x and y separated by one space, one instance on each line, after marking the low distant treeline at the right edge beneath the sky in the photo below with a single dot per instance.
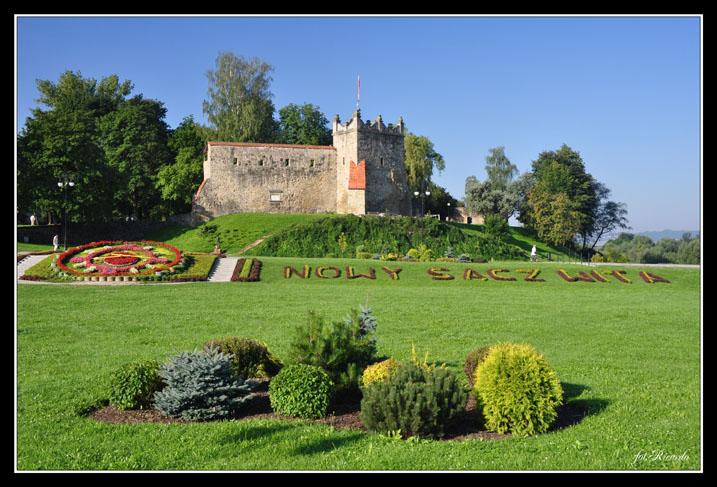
641 249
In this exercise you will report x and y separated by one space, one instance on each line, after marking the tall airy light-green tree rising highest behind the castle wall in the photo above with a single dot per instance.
239 107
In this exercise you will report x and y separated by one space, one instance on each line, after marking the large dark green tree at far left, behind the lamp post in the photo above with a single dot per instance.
63 138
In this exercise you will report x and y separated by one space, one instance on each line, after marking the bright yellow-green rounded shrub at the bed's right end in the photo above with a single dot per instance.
517 390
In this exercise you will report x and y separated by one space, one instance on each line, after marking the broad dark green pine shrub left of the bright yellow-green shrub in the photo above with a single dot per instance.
414 401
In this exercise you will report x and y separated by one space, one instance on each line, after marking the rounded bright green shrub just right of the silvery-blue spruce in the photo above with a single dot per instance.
302 391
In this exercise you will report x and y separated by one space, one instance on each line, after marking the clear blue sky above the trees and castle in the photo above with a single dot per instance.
624 92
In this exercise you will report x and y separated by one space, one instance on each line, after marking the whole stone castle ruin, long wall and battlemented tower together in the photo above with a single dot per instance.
362 172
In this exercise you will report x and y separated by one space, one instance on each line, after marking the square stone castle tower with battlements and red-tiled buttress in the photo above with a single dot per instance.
370 167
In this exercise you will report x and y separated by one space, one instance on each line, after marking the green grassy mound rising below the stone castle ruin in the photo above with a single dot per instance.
318 236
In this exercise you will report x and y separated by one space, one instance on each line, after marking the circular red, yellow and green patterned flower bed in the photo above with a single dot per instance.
119 258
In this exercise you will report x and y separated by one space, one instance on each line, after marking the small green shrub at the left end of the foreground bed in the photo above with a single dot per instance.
133 385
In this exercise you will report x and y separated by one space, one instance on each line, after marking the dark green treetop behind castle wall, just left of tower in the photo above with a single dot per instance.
304 125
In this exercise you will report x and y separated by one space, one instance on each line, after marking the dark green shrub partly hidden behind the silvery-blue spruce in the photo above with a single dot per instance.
250 358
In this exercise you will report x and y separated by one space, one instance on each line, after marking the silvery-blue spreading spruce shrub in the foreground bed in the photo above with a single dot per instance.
200 386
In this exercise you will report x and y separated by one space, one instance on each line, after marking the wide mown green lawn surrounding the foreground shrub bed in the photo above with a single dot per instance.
629 355
